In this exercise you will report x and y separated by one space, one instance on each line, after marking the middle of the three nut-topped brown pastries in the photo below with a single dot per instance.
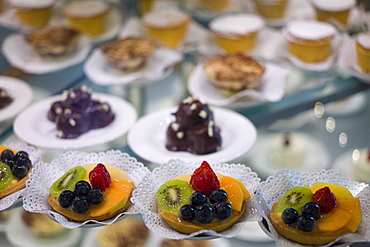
129 54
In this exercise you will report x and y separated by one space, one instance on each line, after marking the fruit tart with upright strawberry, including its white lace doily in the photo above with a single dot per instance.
198 199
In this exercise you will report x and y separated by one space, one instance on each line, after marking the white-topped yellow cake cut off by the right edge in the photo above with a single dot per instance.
363 51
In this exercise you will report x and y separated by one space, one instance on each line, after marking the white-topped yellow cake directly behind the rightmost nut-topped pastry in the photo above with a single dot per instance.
236 33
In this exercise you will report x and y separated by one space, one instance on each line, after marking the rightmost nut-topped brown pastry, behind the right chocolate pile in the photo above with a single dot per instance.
234 72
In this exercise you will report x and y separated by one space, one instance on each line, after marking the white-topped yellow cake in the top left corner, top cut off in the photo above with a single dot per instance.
33 13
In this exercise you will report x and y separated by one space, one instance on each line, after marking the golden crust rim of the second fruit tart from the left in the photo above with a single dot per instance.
84 217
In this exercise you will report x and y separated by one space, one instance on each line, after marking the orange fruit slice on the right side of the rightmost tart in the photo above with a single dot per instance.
351 205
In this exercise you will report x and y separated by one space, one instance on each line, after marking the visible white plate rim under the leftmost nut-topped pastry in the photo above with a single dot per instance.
20 55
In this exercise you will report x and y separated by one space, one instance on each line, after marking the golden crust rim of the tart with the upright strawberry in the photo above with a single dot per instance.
188 227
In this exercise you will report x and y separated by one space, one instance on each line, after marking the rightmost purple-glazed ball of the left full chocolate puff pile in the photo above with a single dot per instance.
100 113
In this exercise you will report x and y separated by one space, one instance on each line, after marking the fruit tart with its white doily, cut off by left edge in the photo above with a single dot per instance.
16 163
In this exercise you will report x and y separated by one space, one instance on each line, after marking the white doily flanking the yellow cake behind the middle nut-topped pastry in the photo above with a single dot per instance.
196 34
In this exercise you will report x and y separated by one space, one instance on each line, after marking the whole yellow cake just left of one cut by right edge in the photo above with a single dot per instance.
309 40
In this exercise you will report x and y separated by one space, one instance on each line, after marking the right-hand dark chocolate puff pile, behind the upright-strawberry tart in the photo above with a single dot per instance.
193 130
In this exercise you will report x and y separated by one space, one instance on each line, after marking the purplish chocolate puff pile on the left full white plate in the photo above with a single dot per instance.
78 113
